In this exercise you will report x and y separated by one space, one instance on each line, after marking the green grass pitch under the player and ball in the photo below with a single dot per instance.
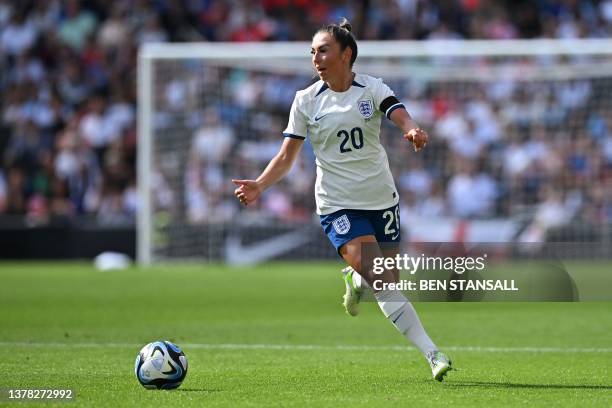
276 335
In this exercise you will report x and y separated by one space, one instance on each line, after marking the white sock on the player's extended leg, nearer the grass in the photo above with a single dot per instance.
402 315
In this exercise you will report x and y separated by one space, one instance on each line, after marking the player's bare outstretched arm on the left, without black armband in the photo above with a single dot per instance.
250 190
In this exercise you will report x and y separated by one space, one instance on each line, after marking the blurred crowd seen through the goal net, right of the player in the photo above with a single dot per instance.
541 149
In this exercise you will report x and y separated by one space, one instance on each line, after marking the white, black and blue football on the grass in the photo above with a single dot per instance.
161 365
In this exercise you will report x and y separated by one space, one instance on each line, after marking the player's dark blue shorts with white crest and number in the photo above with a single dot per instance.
345 225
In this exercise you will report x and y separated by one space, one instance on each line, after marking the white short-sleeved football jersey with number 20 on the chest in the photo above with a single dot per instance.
344 130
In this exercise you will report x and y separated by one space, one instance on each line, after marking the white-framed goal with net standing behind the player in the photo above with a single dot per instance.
520 148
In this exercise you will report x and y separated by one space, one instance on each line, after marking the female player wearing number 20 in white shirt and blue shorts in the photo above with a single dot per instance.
354 190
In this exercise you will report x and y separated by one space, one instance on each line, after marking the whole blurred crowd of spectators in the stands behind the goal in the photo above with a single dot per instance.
68 129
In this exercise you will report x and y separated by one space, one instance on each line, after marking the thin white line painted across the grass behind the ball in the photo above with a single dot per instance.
478 349
